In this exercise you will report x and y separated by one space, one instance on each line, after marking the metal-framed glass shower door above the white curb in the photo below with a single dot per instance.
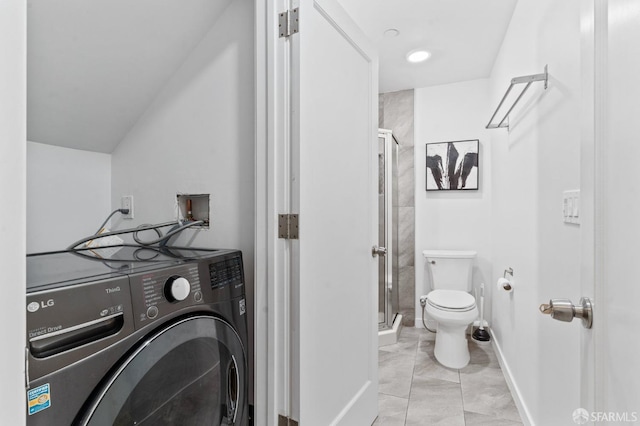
387 272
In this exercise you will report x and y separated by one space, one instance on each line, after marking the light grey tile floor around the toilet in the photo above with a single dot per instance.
416 390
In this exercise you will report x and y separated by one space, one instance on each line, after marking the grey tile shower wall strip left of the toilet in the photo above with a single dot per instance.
396 114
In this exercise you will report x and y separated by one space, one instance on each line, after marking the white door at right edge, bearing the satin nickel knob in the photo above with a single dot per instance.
610 390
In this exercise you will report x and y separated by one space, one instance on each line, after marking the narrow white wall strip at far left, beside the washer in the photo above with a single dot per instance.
13 136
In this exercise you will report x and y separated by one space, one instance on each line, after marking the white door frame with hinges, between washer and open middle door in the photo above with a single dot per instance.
272 270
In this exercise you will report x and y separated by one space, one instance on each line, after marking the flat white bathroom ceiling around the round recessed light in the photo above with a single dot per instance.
464 37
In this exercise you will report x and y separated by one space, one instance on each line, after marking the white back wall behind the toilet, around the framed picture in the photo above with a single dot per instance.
458 220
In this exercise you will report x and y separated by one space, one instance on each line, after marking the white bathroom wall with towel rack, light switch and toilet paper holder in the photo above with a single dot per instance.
533 163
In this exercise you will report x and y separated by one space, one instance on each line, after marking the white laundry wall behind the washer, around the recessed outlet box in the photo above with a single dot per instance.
198 137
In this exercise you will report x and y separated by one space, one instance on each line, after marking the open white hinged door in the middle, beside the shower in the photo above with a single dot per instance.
334 301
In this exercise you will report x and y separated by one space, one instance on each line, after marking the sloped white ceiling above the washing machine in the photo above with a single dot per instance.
93 67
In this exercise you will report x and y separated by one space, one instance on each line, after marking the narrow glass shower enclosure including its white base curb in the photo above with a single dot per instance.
388 319
